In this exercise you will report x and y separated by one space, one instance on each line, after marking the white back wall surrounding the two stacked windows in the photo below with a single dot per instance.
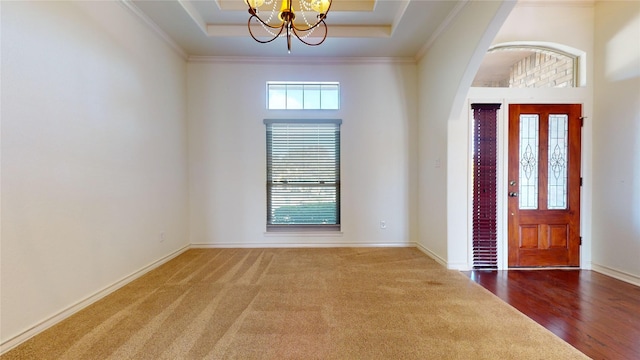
227 150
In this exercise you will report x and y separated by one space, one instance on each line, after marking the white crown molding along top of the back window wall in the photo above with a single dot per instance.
301 60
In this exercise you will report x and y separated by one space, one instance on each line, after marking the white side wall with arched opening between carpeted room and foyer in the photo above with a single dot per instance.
445 73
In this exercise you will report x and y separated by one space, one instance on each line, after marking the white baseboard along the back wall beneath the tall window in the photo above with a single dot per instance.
323 244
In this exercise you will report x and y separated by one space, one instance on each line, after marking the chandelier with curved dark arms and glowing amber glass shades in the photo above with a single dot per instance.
281 23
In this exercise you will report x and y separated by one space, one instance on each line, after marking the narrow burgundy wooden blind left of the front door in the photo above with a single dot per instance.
485 244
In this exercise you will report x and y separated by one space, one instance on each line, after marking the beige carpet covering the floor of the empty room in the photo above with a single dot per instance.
344 303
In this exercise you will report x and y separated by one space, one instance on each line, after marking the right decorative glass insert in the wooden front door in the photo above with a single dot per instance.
557 178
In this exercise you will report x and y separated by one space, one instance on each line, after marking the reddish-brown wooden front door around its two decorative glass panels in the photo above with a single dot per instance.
540 220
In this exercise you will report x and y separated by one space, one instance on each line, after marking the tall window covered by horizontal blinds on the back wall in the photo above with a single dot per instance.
303 175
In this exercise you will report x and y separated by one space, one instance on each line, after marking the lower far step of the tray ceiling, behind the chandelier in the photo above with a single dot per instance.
336 31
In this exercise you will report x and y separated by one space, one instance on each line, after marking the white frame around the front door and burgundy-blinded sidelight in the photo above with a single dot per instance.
502 181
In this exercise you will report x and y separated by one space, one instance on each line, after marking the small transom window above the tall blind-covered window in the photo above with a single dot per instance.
303 95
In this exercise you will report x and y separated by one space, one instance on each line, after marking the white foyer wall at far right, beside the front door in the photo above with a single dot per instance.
616 140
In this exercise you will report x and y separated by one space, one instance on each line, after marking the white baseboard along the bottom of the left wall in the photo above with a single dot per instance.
49 322
